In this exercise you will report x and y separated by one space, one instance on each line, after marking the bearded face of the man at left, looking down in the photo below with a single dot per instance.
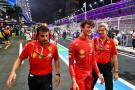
43 37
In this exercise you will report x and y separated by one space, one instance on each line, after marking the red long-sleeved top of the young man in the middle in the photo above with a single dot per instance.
82 53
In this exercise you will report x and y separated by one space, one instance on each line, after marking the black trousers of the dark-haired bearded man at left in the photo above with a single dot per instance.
42 82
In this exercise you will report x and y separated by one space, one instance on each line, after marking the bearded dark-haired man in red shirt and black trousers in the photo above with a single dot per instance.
40 53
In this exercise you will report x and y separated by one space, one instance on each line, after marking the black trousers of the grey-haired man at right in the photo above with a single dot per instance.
106 70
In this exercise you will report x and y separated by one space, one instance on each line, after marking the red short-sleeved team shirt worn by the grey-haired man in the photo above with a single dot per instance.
105 50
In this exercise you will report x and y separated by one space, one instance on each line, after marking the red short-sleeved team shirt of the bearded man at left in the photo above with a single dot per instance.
39 66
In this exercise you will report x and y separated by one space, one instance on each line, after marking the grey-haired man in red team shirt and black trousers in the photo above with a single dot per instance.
106 54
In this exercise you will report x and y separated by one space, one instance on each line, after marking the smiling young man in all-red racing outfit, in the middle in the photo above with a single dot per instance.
81 59
